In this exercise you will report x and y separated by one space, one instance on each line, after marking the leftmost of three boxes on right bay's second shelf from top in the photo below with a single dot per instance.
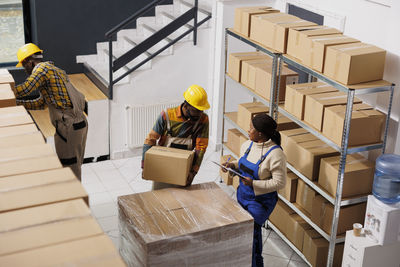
295 97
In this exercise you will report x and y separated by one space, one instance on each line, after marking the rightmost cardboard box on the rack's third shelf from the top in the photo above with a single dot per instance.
358 175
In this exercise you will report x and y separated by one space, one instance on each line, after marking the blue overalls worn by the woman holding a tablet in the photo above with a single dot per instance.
260 207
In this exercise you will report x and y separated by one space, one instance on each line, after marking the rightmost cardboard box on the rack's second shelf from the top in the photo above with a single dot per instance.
366 125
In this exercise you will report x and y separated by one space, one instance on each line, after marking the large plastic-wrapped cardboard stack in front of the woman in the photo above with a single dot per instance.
198 225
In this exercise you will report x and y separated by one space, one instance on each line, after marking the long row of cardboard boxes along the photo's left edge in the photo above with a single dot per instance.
44 211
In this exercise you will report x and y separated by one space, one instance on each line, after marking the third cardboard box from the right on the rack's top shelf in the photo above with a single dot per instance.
297 37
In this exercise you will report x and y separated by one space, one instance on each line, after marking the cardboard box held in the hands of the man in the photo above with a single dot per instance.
167 165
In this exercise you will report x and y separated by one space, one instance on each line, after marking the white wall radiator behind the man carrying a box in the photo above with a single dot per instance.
140 120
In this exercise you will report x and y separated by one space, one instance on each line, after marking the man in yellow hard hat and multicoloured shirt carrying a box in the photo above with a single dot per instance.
184 127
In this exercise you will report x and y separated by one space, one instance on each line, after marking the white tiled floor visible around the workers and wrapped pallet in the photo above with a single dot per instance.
106 180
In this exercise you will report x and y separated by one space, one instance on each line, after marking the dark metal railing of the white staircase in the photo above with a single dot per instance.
143 47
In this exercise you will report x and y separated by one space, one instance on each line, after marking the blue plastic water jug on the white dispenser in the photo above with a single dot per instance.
387 178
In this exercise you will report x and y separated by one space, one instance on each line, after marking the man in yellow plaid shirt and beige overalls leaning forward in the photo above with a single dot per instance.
65 104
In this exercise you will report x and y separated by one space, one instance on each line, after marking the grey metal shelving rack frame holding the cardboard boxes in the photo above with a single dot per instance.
344 149
